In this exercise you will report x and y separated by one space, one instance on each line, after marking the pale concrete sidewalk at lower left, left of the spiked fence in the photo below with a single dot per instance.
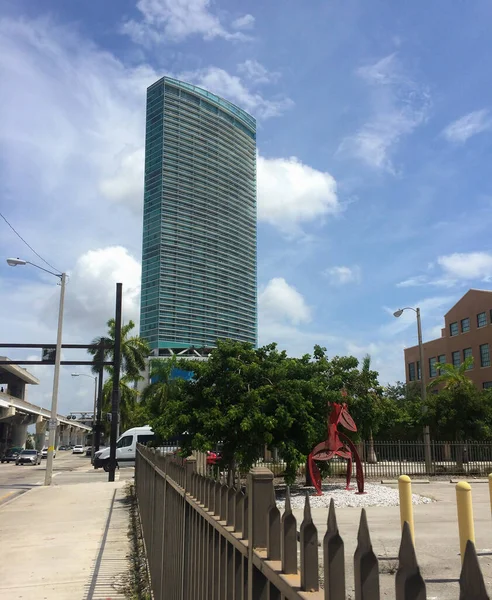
65 542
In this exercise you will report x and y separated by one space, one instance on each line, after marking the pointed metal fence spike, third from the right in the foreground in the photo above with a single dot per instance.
365 564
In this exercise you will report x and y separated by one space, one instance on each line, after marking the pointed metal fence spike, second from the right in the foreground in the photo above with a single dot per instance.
409 583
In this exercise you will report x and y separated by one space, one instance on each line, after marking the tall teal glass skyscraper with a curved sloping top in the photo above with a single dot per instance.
199 224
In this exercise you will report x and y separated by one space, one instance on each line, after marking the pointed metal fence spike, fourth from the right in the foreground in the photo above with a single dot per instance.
333 558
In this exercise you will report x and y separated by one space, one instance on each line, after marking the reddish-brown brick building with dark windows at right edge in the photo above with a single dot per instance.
467 332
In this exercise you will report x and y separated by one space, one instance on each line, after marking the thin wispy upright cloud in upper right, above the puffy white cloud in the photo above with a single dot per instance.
400 106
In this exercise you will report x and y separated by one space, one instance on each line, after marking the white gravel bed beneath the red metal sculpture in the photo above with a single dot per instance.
377 495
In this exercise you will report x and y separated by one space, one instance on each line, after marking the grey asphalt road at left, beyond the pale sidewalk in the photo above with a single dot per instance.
68 469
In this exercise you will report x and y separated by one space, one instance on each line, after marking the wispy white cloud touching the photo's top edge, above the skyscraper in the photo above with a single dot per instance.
174 21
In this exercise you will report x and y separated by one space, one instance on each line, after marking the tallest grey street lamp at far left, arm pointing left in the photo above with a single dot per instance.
14 262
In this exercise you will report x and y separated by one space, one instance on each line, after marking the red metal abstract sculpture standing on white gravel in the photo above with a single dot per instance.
337 444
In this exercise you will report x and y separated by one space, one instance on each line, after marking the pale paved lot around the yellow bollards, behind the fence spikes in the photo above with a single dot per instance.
436 538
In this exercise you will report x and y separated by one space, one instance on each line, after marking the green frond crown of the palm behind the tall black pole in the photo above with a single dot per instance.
134 350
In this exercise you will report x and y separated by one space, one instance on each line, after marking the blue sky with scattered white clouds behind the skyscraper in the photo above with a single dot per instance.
374 131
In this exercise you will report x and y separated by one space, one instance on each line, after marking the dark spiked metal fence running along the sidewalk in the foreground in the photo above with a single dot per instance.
207 541
